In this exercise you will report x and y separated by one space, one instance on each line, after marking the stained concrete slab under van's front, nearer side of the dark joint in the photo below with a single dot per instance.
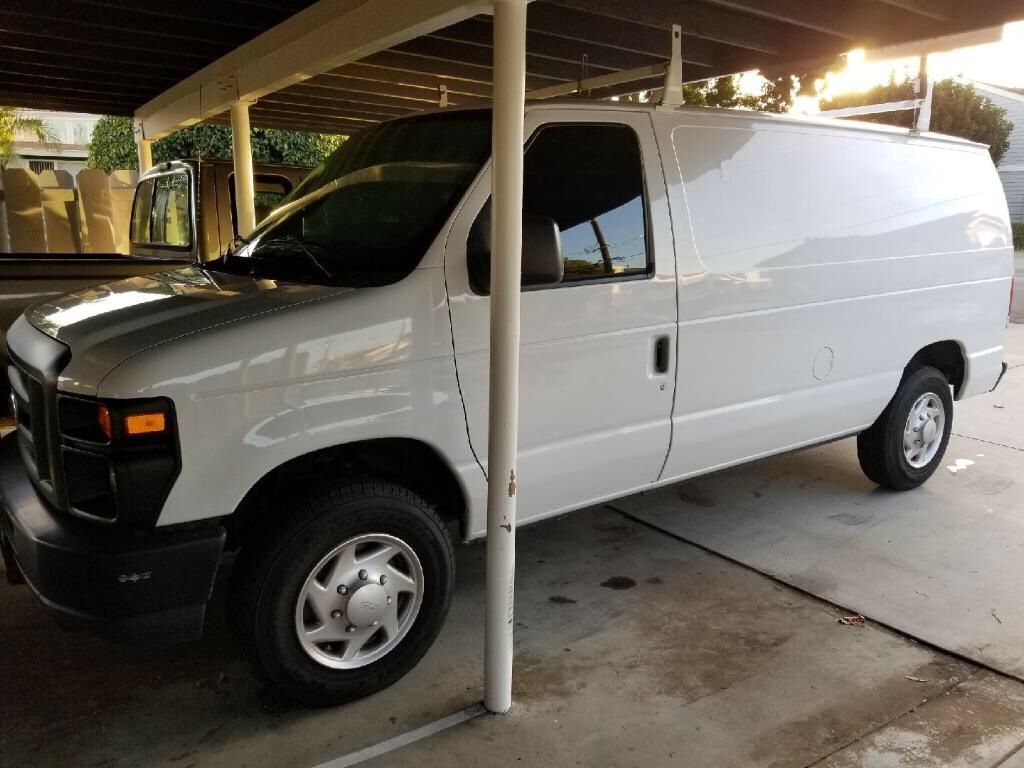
633 650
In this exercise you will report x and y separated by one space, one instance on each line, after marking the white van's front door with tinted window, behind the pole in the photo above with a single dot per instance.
598 355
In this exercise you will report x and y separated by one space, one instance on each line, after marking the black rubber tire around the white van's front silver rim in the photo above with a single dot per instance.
271 572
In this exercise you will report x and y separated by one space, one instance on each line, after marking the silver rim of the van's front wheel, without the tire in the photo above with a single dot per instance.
360 602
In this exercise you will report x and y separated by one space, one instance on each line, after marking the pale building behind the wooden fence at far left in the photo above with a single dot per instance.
67 147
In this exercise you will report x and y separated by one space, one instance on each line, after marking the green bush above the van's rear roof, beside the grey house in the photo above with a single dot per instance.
957 110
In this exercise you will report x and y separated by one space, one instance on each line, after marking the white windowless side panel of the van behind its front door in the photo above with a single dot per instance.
815 262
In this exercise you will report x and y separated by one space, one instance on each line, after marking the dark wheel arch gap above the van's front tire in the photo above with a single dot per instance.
404 461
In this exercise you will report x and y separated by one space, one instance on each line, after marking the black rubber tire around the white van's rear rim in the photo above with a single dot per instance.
880 448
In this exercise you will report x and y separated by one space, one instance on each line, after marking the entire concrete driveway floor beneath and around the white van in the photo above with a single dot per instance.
697 626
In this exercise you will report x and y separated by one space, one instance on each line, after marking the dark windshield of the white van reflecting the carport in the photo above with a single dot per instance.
369 212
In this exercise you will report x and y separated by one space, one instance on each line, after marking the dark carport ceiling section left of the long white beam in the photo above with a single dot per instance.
111 57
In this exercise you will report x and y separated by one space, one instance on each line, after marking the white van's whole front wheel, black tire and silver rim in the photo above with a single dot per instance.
347 595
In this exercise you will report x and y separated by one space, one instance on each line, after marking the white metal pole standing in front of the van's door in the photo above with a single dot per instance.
506 269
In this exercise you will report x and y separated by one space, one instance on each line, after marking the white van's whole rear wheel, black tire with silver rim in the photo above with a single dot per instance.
907 444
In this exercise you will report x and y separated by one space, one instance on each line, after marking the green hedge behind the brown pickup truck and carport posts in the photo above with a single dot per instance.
113 146
